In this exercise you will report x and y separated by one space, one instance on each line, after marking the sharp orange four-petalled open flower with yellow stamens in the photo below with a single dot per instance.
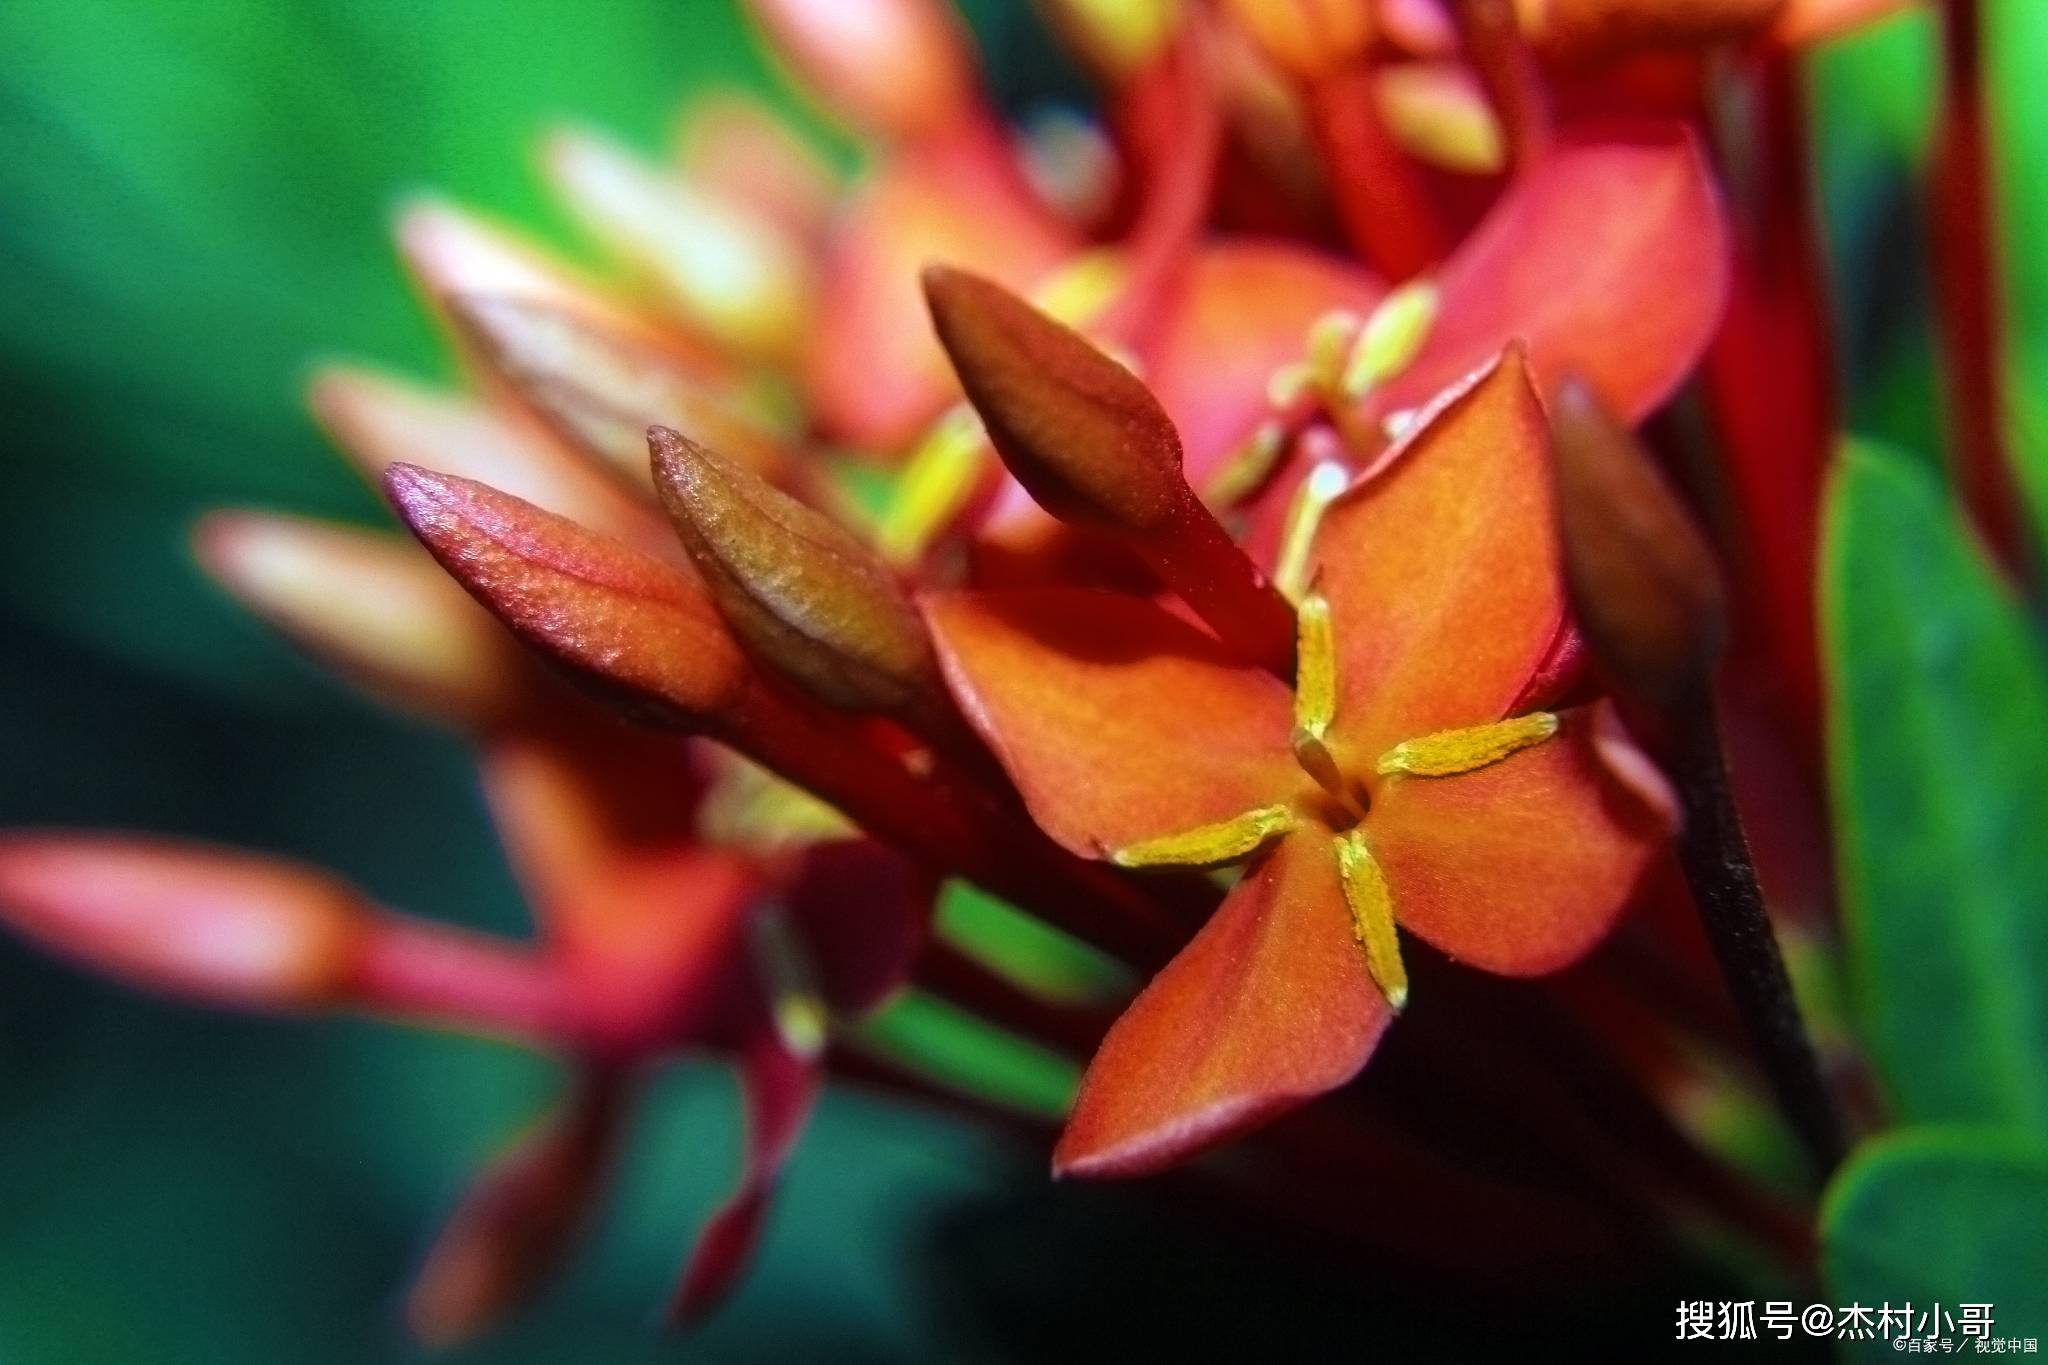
1410 781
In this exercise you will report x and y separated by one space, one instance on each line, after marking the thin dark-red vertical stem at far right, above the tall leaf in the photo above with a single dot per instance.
1967 292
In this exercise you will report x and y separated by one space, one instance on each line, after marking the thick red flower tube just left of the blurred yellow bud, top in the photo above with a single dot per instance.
1379 195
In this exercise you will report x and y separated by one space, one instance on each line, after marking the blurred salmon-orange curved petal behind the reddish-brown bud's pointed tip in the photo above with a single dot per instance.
876 371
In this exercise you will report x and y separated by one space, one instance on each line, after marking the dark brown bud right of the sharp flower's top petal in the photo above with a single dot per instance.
1644 582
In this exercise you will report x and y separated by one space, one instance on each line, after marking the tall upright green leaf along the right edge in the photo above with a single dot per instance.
1940 748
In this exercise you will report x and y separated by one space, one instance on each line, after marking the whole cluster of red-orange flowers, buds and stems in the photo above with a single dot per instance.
1218 531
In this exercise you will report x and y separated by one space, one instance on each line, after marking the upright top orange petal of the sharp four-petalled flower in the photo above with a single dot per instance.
1443 572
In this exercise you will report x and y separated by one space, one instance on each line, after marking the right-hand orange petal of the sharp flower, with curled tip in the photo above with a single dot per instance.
1521 867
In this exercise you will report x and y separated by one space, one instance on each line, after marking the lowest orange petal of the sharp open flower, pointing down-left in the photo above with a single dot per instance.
1267 1008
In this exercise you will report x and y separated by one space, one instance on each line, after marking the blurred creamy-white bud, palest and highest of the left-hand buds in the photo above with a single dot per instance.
732 273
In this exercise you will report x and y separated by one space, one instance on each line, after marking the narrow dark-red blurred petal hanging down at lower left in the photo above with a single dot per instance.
779 1088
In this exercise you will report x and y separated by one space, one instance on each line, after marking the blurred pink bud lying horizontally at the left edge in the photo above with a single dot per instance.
214 926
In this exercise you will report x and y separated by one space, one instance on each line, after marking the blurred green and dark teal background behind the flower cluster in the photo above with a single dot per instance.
194 206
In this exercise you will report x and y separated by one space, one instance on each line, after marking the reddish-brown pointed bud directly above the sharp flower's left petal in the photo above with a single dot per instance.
1080 431
